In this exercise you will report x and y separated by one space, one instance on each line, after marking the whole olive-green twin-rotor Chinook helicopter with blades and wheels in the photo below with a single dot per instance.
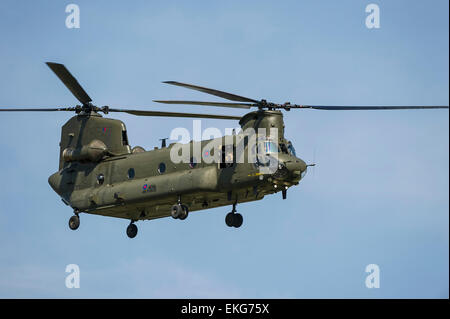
99 172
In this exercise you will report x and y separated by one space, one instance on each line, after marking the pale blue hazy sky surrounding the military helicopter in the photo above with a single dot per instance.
379 192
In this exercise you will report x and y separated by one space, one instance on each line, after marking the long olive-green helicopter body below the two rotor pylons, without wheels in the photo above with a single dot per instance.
133 186
